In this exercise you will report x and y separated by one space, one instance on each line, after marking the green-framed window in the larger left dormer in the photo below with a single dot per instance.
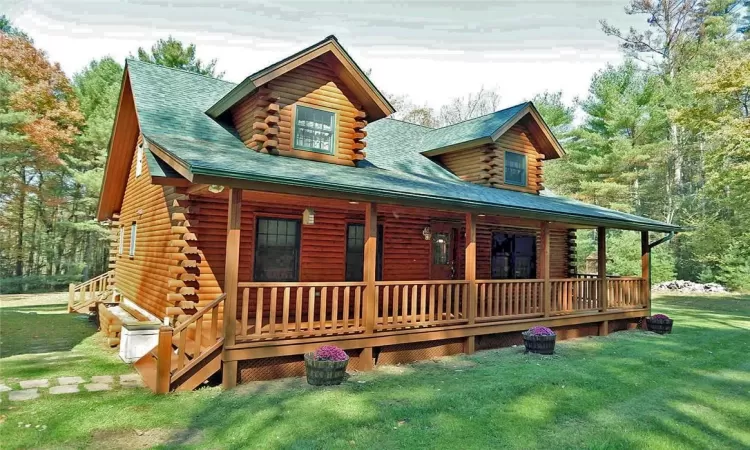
314 130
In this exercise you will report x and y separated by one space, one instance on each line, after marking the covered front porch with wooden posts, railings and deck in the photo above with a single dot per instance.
285 318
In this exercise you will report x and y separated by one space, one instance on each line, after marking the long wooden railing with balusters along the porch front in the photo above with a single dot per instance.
287 310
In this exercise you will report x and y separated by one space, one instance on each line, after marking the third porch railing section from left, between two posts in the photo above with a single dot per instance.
509 299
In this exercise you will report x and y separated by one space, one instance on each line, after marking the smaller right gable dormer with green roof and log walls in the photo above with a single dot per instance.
505 149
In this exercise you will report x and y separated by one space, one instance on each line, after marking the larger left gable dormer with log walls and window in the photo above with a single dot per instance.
313 105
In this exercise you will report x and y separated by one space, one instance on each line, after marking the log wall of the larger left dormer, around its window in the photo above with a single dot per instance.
265 119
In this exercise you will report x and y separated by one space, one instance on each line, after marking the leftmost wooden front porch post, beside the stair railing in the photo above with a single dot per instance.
231 269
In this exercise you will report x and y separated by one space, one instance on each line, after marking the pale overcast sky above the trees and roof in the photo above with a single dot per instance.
431 50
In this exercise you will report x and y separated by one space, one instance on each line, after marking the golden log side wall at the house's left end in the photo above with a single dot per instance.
143 278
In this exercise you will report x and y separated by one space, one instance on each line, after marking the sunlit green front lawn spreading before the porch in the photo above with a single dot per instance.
632 389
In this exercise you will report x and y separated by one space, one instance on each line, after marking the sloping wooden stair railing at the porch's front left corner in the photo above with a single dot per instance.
164 352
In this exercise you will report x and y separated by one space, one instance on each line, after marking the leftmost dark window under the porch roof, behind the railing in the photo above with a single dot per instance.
277 250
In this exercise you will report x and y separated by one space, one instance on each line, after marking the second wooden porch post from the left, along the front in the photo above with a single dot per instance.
369 269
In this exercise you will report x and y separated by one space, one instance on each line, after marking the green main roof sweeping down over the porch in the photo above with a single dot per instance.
171 103
